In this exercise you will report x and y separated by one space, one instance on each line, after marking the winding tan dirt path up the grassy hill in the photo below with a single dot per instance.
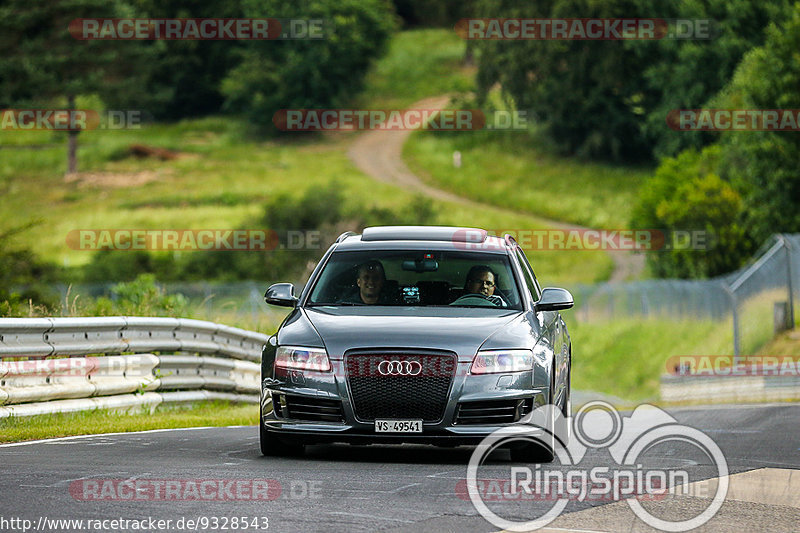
380 154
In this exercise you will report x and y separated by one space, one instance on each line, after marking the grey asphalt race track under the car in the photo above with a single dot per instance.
377 488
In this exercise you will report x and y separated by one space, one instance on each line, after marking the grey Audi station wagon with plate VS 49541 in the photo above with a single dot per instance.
437 335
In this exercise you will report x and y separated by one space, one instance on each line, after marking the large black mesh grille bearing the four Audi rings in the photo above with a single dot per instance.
416 387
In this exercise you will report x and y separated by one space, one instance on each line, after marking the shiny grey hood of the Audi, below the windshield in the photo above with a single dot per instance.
460 330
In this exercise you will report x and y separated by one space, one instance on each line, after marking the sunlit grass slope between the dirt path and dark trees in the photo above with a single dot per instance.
505 168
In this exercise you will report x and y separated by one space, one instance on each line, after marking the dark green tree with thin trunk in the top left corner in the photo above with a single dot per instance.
40 61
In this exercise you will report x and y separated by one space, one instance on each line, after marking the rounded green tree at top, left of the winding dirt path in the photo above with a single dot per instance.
308 73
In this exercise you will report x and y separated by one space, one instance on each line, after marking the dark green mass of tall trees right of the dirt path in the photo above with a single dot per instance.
609 99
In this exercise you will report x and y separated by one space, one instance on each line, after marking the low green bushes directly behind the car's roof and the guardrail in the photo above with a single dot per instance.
305 225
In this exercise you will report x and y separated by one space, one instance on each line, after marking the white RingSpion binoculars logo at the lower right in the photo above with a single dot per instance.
596 426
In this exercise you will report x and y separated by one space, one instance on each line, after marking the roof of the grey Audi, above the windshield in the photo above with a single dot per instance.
423 238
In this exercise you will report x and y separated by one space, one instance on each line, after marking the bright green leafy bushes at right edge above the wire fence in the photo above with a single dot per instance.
746 186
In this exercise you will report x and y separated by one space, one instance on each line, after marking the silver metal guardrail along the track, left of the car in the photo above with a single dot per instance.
52 365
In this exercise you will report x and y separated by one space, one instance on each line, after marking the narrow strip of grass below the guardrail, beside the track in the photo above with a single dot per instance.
103 421
